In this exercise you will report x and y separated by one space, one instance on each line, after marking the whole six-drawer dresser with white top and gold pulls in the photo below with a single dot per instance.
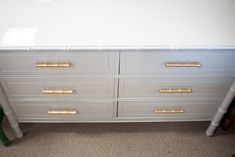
70 70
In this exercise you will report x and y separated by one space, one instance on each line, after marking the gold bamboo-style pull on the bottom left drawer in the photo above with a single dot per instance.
62 111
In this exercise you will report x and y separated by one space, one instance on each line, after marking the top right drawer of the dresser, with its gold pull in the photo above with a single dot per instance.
206 63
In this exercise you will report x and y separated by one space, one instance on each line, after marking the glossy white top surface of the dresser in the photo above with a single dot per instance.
117 24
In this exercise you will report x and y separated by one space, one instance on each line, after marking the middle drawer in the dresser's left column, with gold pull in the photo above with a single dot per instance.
59 88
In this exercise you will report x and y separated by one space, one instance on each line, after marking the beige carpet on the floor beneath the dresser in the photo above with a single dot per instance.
185 139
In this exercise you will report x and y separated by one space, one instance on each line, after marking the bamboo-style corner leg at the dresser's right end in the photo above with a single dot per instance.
221 110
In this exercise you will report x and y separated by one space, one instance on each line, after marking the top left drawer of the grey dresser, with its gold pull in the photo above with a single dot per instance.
58 62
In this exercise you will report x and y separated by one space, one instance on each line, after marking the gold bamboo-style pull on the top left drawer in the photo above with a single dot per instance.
53 65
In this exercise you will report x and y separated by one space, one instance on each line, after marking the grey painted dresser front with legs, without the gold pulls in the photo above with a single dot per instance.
116 86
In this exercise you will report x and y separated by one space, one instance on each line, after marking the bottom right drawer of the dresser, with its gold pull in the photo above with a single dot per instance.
172 110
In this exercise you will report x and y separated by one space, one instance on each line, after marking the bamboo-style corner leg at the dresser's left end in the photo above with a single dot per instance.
10 114
